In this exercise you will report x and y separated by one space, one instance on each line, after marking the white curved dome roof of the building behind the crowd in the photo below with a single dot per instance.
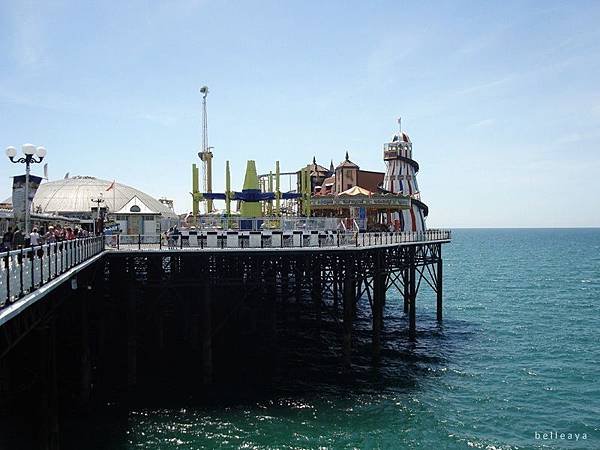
74 195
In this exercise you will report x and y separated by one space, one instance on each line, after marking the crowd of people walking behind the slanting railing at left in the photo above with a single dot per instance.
15 239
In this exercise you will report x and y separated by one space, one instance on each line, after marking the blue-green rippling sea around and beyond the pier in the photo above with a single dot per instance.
515 364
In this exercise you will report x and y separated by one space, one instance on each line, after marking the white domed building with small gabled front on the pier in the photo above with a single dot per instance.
135 211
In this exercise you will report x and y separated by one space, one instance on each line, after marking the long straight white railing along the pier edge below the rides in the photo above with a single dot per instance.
200 239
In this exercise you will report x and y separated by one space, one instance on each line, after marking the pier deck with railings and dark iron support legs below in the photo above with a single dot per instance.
108 310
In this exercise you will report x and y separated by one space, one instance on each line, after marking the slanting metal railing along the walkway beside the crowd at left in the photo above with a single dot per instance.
27 269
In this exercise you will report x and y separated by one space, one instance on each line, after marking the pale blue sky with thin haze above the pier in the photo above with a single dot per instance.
501 99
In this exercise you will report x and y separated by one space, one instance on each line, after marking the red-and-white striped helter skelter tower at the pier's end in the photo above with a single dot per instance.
401 178
